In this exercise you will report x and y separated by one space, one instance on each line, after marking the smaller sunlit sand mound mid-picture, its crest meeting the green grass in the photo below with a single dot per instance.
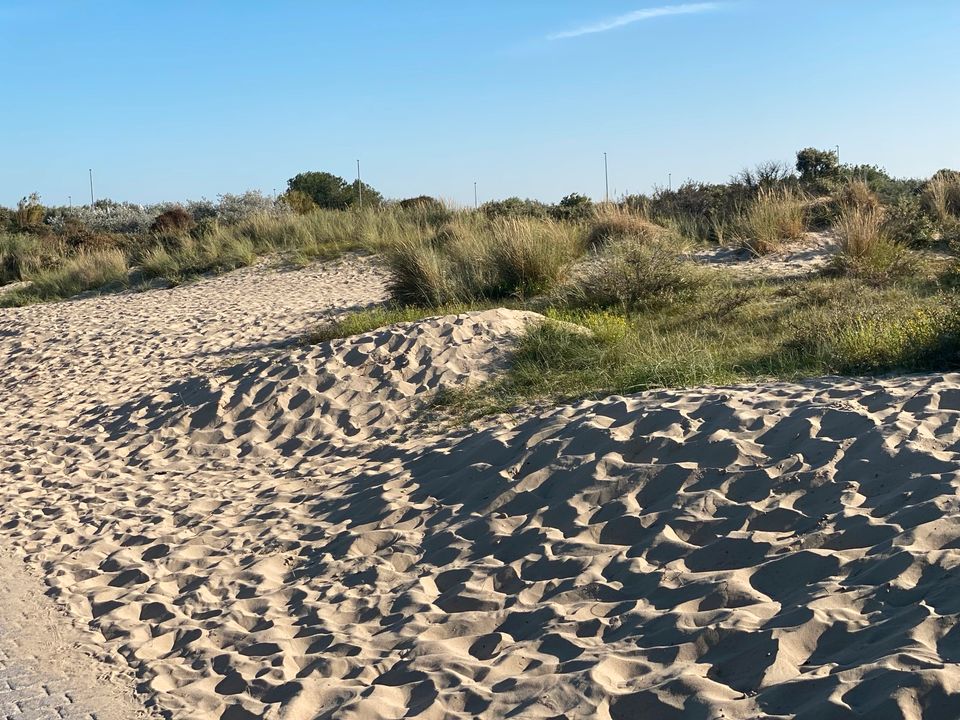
313 400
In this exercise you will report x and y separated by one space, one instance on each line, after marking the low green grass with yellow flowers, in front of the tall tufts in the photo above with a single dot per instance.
723 330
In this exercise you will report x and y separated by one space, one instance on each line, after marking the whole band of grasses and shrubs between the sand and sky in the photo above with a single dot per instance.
627 306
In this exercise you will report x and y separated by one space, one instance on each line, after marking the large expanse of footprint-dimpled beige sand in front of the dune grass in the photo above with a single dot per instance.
259 528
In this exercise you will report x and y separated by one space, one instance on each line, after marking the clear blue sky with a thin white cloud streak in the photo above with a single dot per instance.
180 99
